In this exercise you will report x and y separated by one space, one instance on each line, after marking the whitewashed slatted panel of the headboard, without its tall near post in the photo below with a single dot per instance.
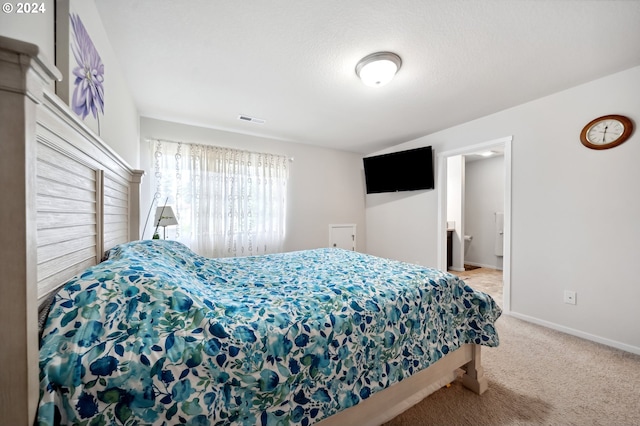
86 196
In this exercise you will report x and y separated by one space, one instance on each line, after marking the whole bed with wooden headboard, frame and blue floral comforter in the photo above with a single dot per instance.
56 238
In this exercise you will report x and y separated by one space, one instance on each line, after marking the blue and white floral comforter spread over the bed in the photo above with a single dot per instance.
159 335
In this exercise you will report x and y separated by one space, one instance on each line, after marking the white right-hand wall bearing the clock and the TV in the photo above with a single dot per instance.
575 211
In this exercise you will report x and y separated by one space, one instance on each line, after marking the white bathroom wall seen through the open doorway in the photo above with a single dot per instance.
484 196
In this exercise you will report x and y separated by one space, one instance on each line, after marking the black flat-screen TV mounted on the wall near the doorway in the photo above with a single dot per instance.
409 170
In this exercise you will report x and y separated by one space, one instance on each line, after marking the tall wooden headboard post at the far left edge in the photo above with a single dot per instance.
23 73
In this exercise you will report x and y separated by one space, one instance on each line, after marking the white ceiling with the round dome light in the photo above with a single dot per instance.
292 62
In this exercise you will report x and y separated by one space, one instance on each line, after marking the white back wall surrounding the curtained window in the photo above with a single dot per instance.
325 186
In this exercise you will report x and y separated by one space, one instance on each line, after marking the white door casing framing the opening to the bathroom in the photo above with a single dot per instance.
504 145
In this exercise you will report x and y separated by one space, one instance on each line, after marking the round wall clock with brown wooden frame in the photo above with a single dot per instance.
606 132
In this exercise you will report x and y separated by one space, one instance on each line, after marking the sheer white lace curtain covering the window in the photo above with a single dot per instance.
228 202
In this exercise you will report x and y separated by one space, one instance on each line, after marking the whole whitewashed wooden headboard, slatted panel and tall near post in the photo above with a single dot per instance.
66 199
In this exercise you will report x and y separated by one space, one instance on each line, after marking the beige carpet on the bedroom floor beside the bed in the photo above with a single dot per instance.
539 376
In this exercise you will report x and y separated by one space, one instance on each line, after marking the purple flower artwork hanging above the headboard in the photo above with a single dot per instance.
88 94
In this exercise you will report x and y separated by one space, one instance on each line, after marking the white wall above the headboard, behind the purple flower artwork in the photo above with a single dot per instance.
121 121
